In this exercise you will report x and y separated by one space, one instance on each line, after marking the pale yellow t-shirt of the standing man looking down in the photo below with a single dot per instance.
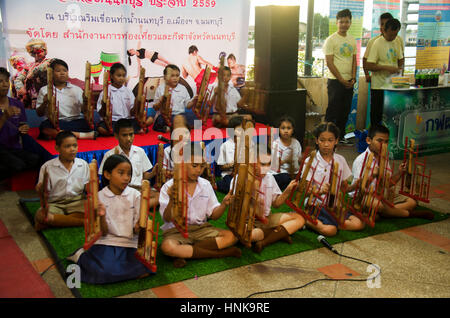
387 53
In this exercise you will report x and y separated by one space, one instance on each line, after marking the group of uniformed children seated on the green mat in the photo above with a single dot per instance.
125 166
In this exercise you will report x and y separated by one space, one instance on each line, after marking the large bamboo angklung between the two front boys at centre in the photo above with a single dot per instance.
243 209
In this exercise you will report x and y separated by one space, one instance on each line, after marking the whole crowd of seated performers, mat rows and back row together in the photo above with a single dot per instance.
124 167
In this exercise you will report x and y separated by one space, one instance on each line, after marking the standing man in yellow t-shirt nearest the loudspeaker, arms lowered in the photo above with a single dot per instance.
340 54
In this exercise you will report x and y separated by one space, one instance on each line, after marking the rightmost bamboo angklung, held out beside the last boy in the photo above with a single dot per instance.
415 182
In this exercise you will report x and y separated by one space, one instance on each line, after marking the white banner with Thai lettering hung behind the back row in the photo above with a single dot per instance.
77 31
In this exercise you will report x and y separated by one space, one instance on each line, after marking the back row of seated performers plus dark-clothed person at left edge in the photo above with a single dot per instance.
16 147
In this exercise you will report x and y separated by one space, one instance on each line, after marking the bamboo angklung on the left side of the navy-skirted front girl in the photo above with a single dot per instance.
92 230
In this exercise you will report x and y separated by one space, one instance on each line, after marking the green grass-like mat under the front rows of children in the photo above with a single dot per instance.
63 241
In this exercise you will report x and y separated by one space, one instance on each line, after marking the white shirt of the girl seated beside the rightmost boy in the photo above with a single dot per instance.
324 168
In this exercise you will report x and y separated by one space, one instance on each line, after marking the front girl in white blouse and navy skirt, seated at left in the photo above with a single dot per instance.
112 257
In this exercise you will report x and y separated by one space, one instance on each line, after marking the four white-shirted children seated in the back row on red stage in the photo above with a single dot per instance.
72 103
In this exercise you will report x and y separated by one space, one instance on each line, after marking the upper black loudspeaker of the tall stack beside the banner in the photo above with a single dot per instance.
276 47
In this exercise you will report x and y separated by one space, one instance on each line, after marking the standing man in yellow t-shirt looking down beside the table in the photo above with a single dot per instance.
385 58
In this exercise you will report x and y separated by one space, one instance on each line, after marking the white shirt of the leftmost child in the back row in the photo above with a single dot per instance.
69 100
